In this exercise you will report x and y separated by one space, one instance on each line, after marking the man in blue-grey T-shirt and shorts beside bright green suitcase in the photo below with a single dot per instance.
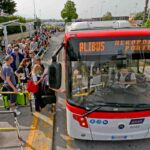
10 82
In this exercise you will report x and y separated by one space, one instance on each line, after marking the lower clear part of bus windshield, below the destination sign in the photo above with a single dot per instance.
113 81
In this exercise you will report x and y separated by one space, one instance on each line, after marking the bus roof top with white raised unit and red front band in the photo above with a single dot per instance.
104 29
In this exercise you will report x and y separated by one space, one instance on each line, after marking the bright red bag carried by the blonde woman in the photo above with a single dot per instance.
32 87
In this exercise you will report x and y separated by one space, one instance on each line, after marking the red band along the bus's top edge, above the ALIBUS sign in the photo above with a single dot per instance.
124 32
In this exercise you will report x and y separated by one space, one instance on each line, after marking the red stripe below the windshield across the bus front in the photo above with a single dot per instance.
109 115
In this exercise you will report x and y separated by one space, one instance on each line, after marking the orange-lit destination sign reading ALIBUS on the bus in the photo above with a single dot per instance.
103 46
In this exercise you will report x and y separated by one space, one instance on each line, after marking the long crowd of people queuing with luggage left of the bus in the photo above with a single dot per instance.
23 62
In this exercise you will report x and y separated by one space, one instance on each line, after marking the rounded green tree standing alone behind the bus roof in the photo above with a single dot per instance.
69 11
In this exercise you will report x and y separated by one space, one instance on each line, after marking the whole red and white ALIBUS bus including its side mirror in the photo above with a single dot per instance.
101 103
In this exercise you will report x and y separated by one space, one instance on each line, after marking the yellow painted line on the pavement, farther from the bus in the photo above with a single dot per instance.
32 133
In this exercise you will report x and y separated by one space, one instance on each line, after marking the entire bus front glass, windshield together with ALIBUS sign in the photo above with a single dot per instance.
105 71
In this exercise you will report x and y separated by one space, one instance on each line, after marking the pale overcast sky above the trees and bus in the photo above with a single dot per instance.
50 9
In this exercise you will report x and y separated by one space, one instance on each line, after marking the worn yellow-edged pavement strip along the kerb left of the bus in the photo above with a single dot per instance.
42 136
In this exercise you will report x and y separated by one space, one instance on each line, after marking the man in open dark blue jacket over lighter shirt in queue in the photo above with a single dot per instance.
17 58
